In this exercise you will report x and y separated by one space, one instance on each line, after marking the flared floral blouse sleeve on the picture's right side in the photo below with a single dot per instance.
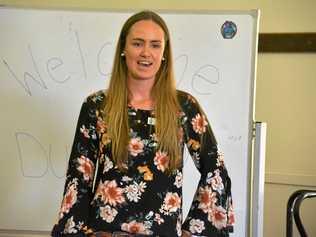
211 212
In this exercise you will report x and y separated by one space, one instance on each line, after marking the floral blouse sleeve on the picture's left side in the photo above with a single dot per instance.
75 205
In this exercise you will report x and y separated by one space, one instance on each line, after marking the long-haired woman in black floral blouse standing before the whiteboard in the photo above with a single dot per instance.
125 171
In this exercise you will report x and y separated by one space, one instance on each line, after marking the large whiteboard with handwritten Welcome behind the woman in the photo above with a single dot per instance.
52 59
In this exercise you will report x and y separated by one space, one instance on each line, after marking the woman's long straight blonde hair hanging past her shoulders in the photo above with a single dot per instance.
164 92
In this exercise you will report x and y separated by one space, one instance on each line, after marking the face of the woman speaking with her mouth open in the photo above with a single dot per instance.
144 48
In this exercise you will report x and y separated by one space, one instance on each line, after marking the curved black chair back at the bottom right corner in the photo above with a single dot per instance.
293 210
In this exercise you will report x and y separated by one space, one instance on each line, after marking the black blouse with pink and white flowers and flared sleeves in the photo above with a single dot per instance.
145 199
